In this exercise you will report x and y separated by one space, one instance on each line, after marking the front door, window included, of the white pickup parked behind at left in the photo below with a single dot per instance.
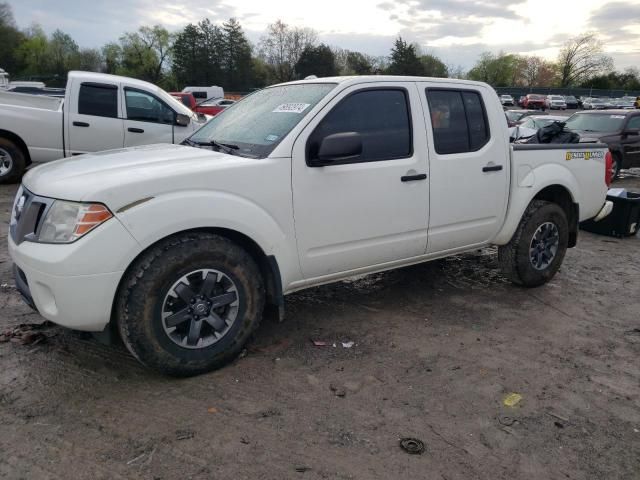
148 119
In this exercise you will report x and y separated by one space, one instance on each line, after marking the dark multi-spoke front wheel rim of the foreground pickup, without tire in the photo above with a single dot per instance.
200 308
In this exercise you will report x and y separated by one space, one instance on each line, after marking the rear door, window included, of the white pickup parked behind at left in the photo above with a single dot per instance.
94 120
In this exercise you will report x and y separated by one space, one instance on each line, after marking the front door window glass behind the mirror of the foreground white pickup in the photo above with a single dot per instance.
380 116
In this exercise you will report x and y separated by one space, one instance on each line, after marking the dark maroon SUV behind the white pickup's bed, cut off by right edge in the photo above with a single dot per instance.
619 129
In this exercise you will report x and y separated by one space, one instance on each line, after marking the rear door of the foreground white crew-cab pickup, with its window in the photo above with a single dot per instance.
469 167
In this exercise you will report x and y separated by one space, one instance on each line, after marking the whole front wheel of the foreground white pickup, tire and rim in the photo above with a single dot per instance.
189 304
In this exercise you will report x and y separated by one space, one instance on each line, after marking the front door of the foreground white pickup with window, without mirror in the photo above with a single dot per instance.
371 208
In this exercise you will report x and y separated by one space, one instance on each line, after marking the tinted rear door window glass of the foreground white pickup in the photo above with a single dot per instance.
458 120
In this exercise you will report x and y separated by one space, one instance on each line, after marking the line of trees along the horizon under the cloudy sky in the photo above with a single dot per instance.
210 54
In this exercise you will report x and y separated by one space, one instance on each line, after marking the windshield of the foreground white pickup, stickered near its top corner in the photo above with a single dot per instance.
257 123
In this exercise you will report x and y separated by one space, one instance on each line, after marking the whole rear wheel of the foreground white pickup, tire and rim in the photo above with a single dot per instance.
535 253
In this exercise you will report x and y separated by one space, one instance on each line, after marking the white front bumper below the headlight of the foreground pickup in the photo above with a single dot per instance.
74 284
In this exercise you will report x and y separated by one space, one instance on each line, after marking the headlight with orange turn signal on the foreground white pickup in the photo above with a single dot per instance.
65 222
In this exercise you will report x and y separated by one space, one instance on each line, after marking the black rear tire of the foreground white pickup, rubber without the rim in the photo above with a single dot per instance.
514 258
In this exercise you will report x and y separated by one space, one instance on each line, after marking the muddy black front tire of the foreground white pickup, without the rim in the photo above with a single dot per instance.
142 292
